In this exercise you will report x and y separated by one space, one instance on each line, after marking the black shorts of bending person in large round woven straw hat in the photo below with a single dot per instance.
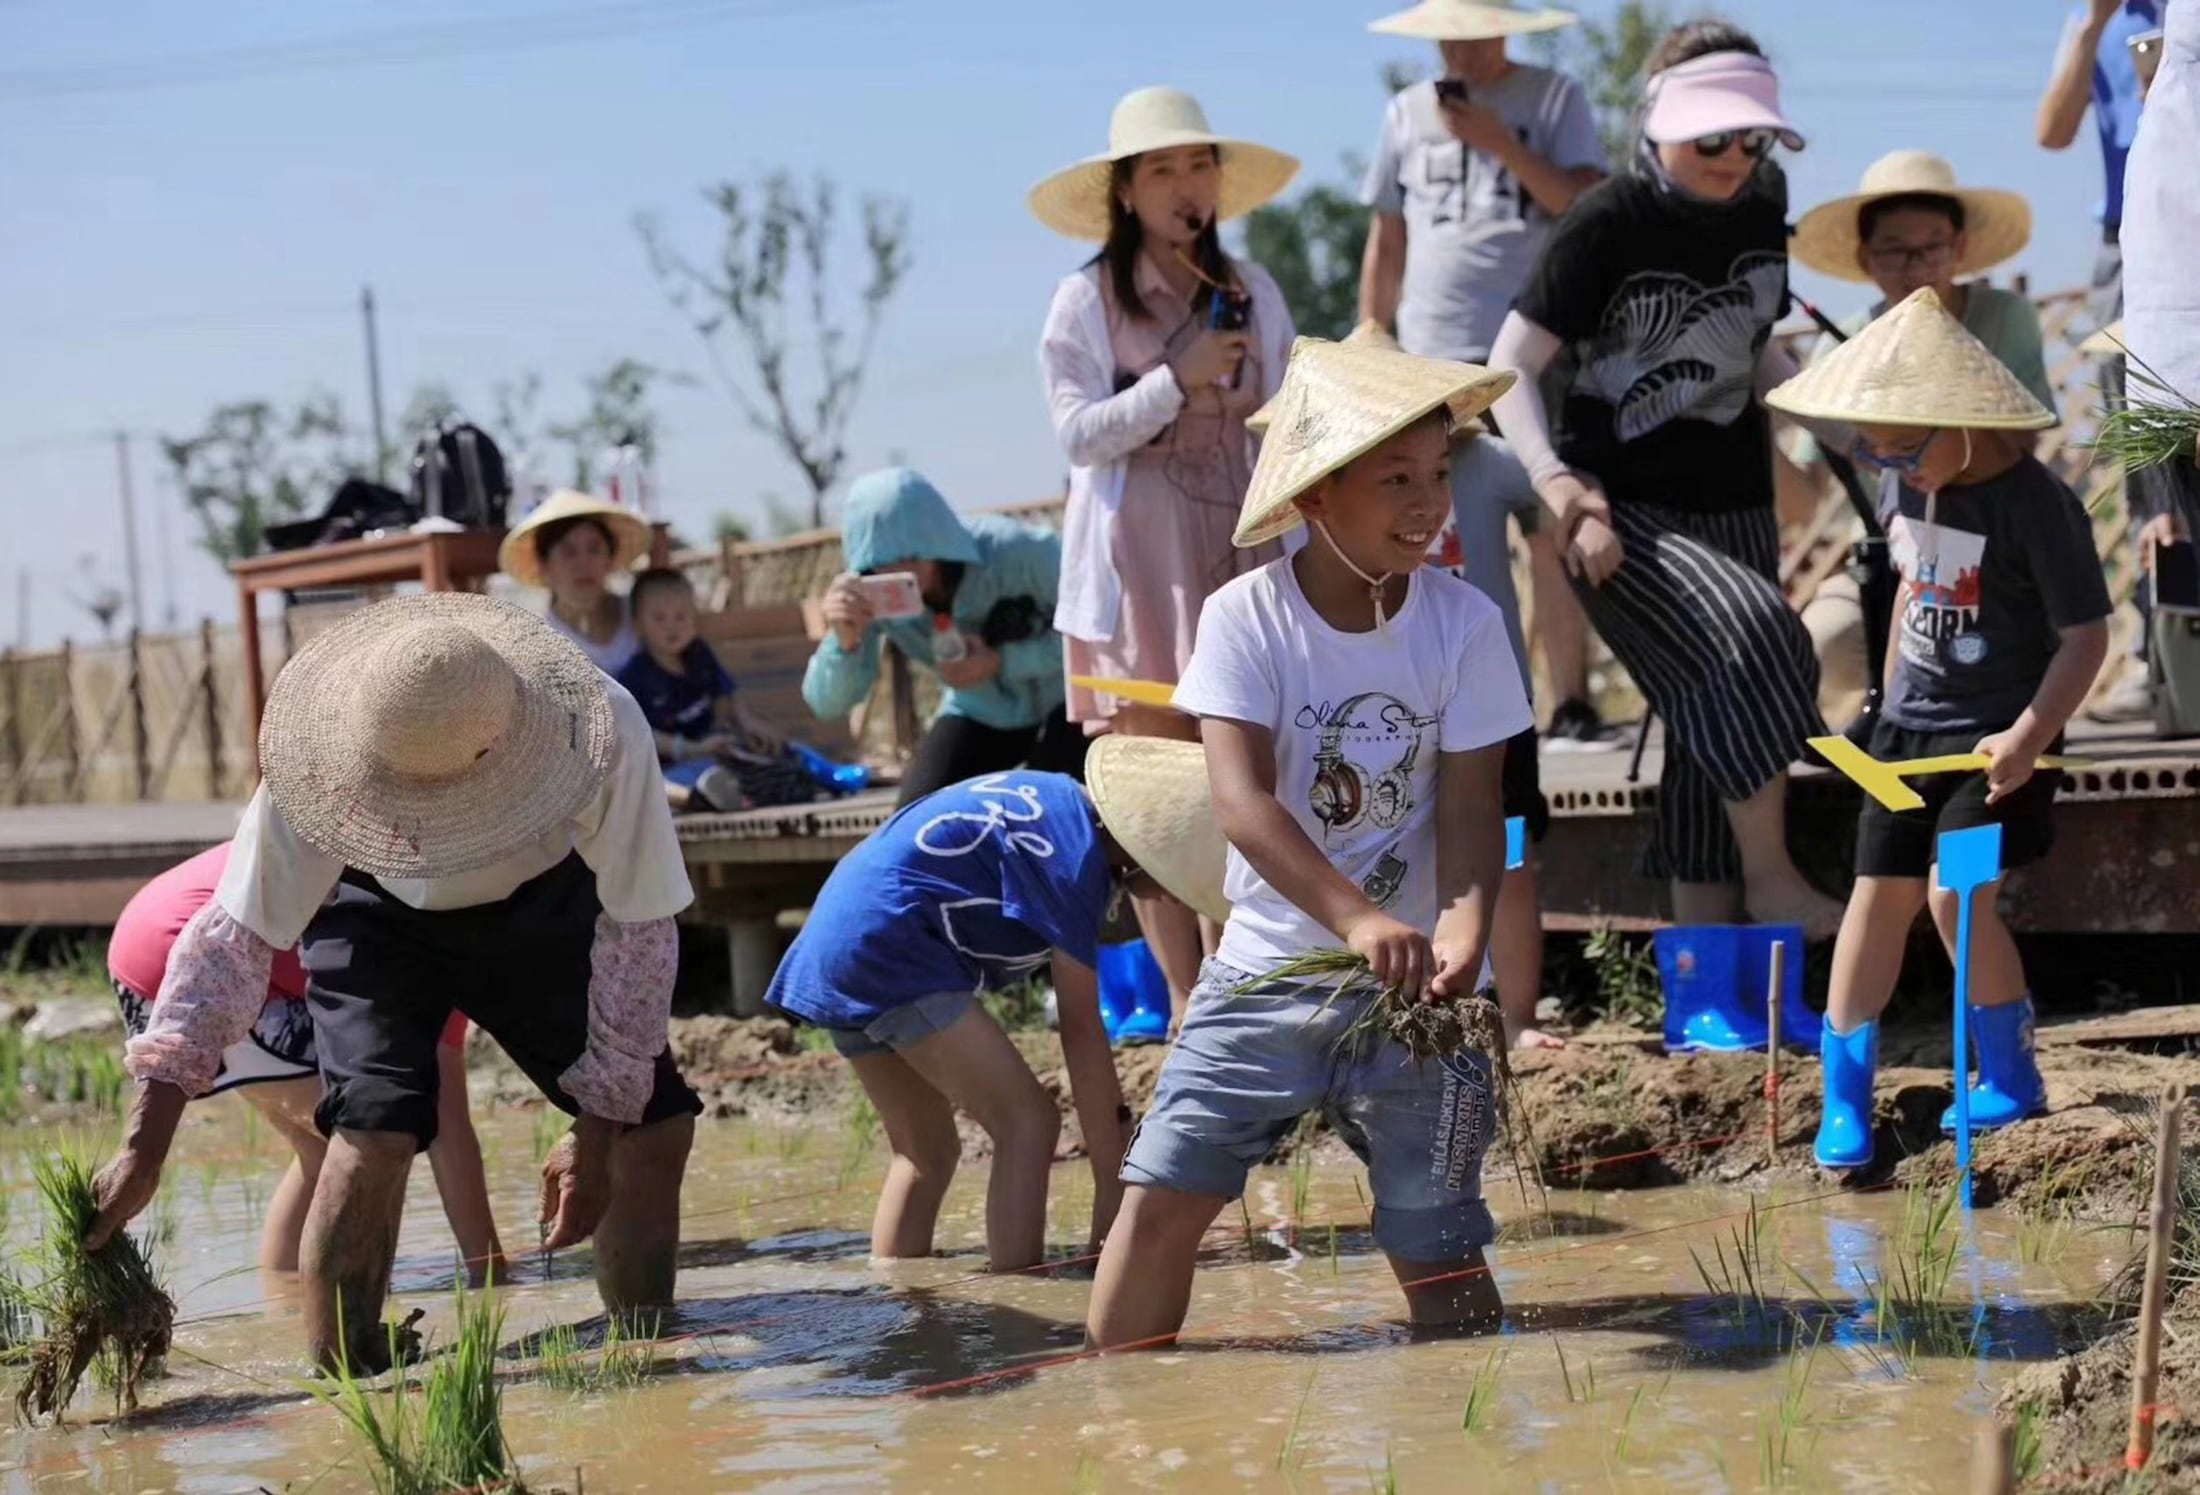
384 979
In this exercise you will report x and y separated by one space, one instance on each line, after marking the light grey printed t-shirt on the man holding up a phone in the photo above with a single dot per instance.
1473 232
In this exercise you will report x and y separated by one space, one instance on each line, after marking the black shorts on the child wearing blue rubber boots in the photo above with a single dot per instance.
1906 843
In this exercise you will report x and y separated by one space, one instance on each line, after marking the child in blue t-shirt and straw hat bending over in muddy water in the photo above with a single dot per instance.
973 889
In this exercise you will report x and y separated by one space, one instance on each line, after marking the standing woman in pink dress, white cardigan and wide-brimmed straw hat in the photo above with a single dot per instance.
1154 357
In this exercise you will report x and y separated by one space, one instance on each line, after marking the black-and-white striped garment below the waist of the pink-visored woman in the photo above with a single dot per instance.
1697 617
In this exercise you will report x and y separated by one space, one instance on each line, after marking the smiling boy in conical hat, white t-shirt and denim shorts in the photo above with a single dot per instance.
1354 716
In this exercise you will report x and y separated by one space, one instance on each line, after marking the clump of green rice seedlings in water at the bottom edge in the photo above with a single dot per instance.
445 1435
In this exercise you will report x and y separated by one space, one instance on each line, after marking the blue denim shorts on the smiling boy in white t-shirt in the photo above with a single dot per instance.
1251 1065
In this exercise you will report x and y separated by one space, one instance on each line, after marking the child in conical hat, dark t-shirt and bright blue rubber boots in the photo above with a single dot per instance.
2001 632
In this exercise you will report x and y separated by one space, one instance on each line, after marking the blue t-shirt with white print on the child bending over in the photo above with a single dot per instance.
965 892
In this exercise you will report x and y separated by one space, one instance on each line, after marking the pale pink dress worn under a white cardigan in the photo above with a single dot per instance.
1180 502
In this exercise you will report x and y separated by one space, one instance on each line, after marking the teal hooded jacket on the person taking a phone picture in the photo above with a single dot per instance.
896 516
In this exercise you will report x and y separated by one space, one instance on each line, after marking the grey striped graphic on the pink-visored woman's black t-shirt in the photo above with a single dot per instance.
1671 346
